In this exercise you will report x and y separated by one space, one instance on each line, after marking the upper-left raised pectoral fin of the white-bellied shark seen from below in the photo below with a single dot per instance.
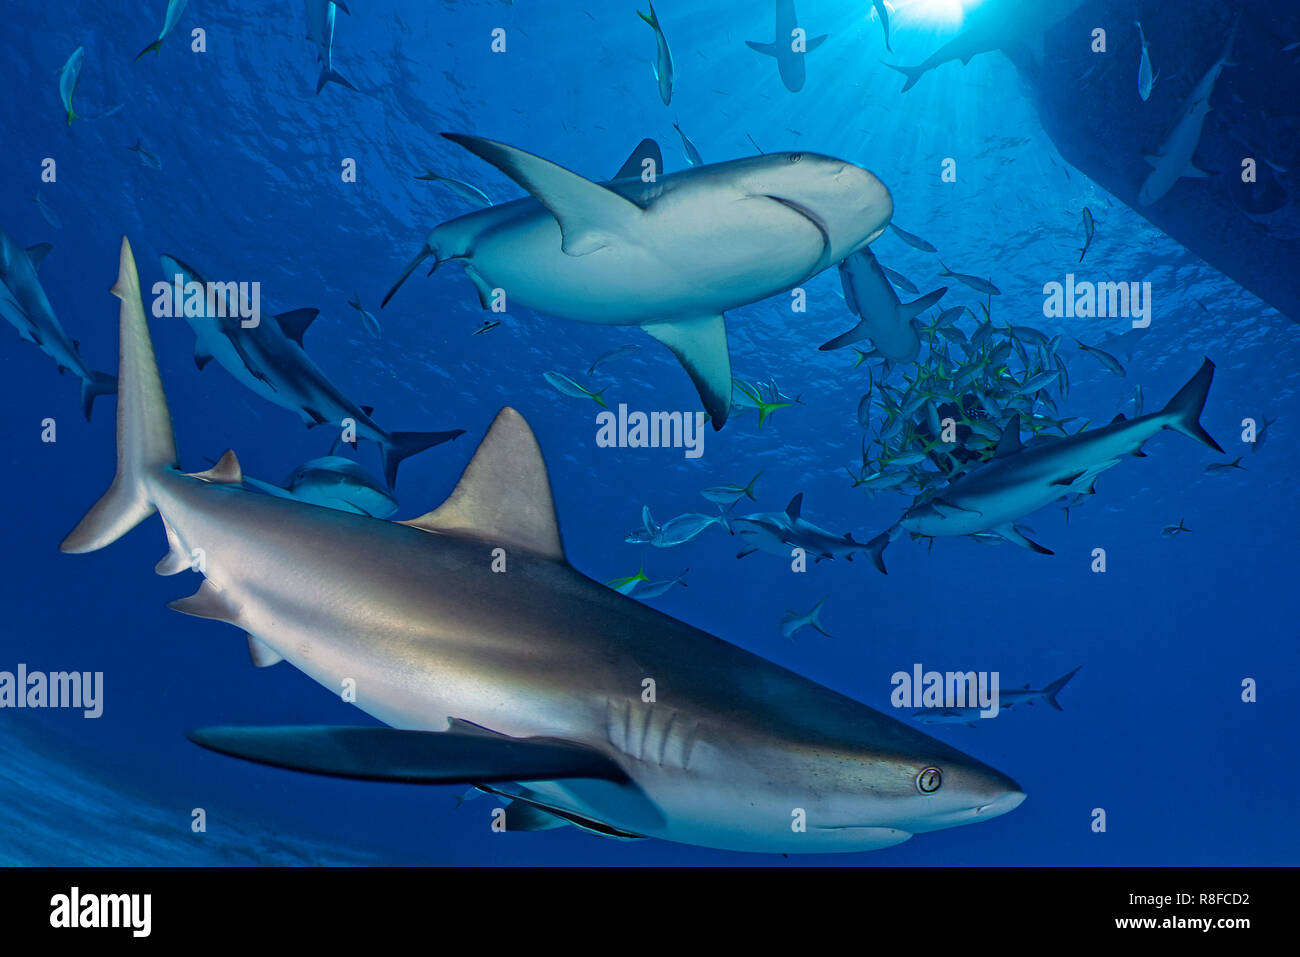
591 216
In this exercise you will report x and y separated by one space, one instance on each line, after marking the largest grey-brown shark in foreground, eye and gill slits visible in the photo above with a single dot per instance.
527 683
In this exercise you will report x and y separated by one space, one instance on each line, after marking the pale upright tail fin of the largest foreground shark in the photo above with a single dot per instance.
145 439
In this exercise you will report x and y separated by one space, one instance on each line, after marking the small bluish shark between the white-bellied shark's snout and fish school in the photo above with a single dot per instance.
890 324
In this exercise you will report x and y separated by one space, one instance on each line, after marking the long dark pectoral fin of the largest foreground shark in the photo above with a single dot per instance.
411 757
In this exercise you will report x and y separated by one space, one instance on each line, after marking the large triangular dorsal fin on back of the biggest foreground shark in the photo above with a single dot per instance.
504 496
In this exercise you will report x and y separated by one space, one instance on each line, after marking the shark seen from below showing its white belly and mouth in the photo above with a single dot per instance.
669 256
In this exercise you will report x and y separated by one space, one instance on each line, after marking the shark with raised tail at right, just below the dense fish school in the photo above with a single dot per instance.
1020 479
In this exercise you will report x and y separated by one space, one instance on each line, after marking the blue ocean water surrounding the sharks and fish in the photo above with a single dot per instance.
1154 728
